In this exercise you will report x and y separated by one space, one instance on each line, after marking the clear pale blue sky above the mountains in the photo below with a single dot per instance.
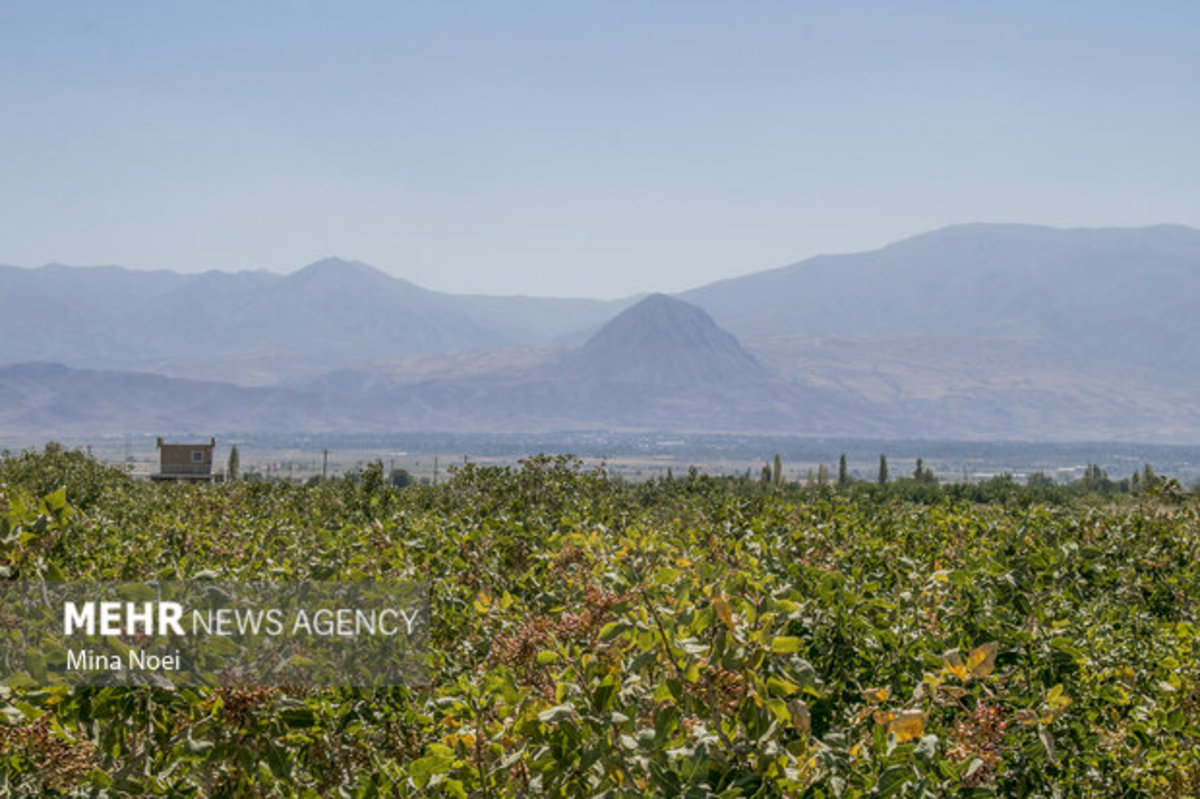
580 149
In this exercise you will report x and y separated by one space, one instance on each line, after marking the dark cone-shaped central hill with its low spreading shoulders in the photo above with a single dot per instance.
662 364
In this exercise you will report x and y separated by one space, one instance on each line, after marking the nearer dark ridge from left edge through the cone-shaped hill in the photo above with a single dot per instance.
659 365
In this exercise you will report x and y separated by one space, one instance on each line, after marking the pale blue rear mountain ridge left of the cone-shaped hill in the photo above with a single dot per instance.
257 327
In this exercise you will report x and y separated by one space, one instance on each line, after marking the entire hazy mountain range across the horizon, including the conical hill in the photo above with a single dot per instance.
974 332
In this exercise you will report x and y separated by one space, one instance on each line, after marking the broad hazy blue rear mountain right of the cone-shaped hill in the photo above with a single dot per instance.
1127 295
